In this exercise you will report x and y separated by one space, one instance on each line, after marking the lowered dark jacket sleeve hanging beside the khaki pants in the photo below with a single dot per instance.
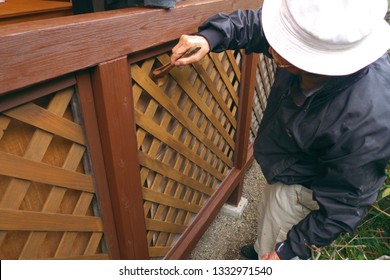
343 203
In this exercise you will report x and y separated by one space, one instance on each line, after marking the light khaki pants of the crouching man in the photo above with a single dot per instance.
281 206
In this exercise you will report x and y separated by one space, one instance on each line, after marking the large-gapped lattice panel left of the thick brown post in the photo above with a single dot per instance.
47 205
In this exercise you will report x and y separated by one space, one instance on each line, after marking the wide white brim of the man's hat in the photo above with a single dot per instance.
318 59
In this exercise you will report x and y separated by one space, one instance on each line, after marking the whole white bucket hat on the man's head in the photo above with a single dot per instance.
328 37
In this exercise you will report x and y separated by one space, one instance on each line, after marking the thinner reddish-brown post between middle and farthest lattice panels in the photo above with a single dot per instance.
246 93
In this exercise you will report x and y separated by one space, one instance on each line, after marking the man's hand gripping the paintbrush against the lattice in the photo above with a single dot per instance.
185 43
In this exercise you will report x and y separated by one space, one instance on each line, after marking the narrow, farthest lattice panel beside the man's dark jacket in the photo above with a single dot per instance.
264 79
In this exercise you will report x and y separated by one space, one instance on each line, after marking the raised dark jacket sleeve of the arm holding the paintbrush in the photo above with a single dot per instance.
240 30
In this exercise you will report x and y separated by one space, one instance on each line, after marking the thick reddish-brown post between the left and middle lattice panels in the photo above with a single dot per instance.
115 114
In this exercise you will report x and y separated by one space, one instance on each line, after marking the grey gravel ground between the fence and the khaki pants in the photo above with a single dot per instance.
226 234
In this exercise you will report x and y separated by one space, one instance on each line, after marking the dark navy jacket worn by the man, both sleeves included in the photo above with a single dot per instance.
336 142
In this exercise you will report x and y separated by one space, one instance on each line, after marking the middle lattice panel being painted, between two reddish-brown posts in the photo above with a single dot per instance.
185 133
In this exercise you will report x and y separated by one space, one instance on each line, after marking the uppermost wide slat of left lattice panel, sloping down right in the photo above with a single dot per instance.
45 120
